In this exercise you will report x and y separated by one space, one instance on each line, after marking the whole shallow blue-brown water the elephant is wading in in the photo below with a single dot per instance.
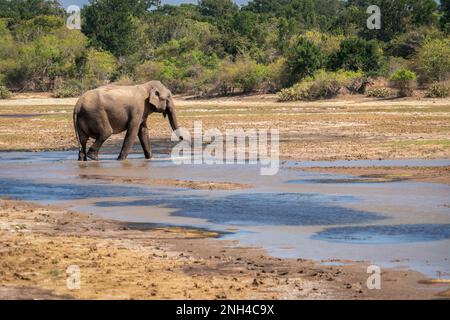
293 214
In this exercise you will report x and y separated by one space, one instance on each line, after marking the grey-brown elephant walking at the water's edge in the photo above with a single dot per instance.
112 109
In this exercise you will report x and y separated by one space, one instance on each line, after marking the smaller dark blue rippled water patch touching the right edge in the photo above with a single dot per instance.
386 234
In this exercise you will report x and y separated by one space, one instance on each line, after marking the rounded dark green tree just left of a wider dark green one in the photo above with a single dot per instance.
303 59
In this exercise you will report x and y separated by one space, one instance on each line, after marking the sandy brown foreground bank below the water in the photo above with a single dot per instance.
123 261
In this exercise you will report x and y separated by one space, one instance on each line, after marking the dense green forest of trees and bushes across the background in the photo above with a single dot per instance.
303 49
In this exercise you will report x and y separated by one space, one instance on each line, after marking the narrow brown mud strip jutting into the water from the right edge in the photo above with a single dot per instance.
385 174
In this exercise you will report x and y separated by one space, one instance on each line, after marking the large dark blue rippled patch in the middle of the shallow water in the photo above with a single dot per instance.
258 209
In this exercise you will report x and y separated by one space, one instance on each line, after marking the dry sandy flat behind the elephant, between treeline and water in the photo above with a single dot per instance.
352 127
